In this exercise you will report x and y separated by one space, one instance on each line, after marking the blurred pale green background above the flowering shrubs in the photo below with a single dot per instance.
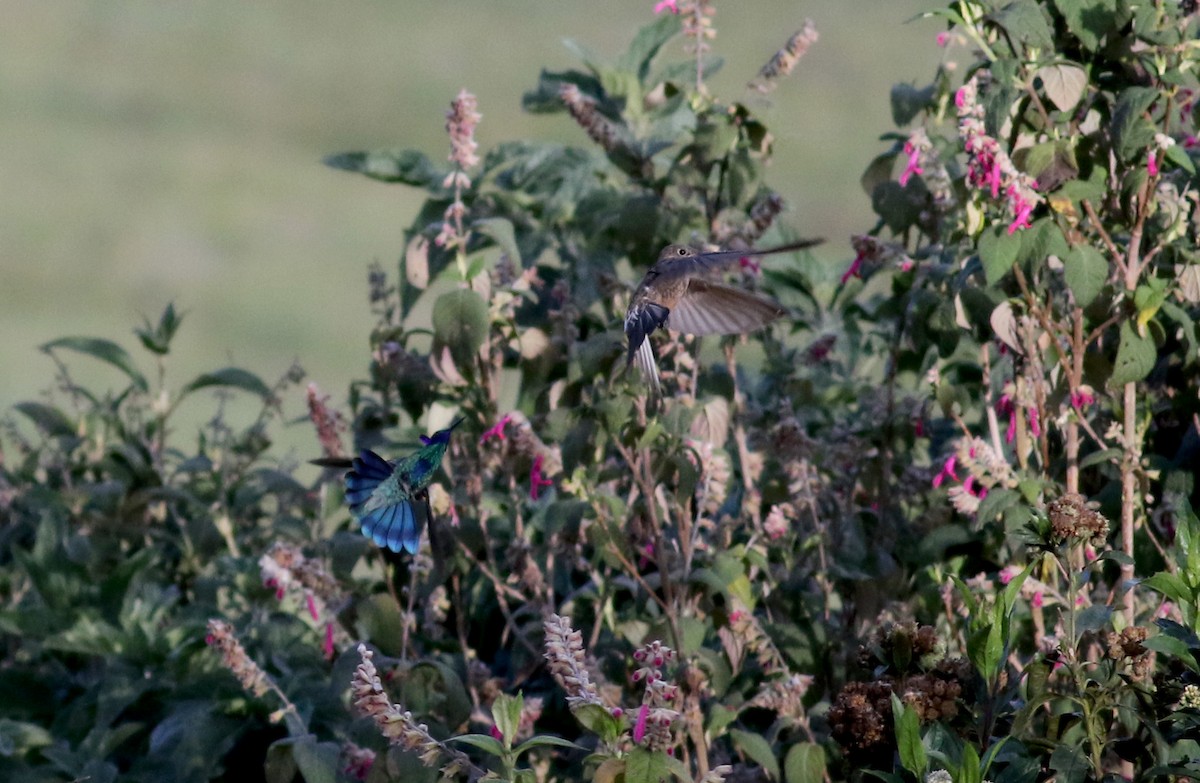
163 152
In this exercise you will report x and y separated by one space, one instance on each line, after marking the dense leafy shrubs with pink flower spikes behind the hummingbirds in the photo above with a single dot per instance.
935 527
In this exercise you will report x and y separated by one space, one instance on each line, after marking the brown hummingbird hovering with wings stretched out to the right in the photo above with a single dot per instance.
680 292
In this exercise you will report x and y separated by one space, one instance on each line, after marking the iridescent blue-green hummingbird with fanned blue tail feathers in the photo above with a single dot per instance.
381 493
